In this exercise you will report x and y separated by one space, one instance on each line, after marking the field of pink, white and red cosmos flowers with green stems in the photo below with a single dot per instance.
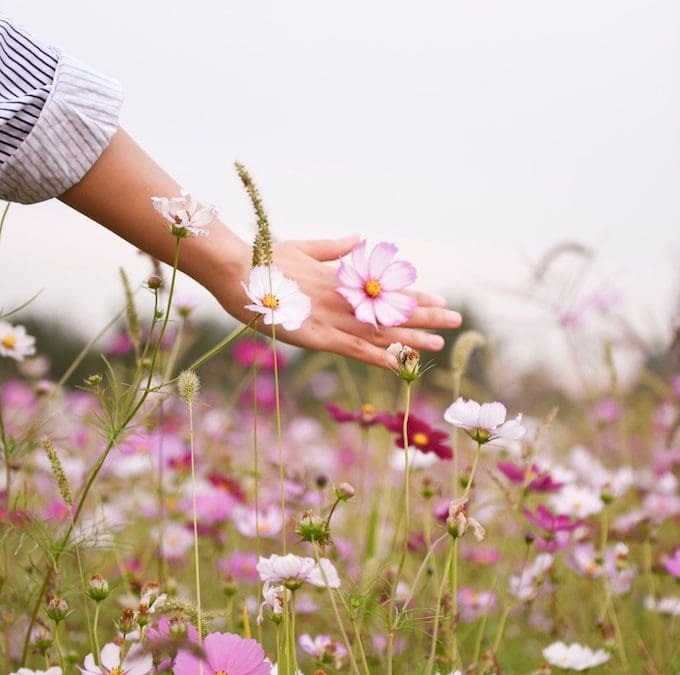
255 510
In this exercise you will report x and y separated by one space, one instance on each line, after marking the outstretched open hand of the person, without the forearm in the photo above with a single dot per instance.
332 326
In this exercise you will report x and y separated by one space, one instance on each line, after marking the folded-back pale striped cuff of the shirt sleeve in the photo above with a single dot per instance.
76 124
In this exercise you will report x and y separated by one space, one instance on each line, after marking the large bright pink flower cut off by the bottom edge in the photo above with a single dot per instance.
225 653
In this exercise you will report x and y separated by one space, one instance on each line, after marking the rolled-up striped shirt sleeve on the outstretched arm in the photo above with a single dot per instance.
56 117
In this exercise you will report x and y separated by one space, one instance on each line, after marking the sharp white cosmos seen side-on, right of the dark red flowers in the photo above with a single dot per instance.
484 422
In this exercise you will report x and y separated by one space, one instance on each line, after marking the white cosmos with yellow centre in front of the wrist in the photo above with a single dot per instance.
278 298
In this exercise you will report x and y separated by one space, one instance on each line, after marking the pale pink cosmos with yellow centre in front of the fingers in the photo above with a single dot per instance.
372 285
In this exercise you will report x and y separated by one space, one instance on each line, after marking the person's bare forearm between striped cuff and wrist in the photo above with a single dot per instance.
117 192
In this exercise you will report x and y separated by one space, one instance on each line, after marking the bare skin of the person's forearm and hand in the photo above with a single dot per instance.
117 191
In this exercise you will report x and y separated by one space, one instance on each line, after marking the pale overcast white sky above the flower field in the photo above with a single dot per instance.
473 134
